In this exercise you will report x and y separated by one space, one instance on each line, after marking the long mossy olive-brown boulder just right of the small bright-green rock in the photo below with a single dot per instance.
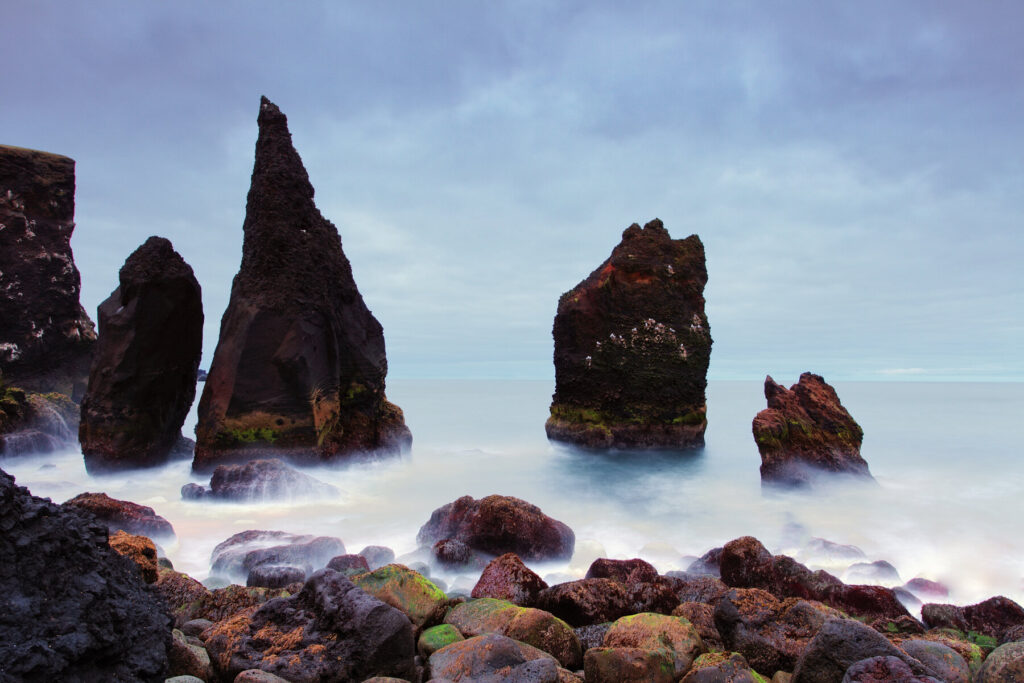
534 627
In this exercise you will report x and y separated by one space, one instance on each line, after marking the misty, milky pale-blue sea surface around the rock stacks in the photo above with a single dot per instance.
948 506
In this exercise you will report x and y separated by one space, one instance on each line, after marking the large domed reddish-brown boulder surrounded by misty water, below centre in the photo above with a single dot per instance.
500 525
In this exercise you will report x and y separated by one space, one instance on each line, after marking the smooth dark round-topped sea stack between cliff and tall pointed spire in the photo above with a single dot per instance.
143 380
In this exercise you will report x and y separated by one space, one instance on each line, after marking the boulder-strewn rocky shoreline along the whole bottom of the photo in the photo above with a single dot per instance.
314 612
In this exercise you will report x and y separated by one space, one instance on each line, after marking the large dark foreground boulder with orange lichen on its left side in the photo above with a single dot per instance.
330 631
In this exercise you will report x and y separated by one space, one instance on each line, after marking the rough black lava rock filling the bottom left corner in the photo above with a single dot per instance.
71 608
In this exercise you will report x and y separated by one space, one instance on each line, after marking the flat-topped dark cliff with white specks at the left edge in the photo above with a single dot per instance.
47 337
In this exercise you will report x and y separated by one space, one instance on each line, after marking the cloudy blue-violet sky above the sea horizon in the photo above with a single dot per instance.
856 170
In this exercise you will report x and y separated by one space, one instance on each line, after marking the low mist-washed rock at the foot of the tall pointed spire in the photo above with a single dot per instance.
260 481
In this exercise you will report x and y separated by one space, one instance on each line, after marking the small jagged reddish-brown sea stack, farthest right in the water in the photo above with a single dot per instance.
806 432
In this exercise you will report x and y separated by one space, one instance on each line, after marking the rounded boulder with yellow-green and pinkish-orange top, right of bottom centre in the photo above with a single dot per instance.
673 636
